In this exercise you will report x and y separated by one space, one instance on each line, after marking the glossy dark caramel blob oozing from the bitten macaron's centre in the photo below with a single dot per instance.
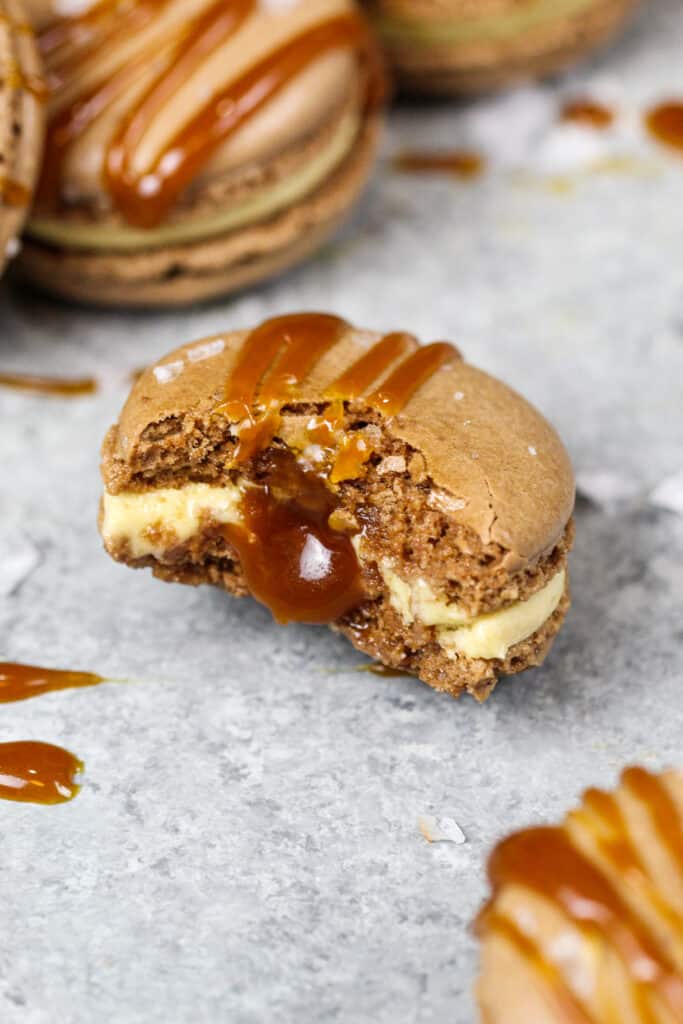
292 561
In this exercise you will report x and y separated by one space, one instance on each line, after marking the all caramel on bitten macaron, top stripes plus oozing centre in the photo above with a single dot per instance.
294 561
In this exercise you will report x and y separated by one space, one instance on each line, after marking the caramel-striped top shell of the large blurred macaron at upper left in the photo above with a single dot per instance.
154 103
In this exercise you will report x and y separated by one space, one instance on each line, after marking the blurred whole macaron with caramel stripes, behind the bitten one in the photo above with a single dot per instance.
196 147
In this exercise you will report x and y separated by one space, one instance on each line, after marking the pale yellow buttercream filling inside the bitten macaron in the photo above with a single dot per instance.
152 523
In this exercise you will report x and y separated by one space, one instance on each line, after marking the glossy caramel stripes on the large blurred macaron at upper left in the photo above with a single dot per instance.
145 199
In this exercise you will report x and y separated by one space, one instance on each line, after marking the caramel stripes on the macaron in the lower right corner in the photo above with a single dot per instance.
547 863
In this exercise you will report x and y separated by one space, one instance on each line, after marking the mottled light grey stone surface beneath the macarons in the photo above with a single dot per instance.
246 846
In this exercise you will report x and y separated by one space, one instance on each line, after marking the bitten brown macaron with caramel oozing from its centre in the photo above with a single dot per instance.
340 477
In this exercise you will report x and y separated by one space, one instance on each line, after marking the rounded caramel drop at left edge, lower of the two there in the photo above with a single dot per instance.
38 774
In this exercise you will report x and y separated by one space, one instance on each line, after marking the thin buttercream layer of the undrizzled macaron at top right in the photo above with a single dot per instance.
475 30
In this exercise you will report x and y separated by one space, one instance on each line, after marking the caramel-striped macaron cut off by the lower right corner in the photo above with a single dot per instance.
584 925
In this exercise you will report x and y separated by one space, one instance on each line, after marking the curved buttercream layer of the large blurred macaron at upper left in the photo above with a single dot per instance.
251 210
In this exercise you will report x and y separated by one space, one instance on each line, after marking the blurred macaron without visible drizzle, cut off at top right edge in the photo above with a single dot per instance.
447 48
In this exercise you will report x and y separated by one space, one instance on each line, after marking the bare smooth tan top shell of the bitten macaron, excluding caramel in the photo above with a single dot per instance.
501 466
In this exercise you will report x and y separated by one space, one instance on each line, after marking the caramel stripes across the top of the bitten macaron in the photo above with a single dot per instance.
281 354
